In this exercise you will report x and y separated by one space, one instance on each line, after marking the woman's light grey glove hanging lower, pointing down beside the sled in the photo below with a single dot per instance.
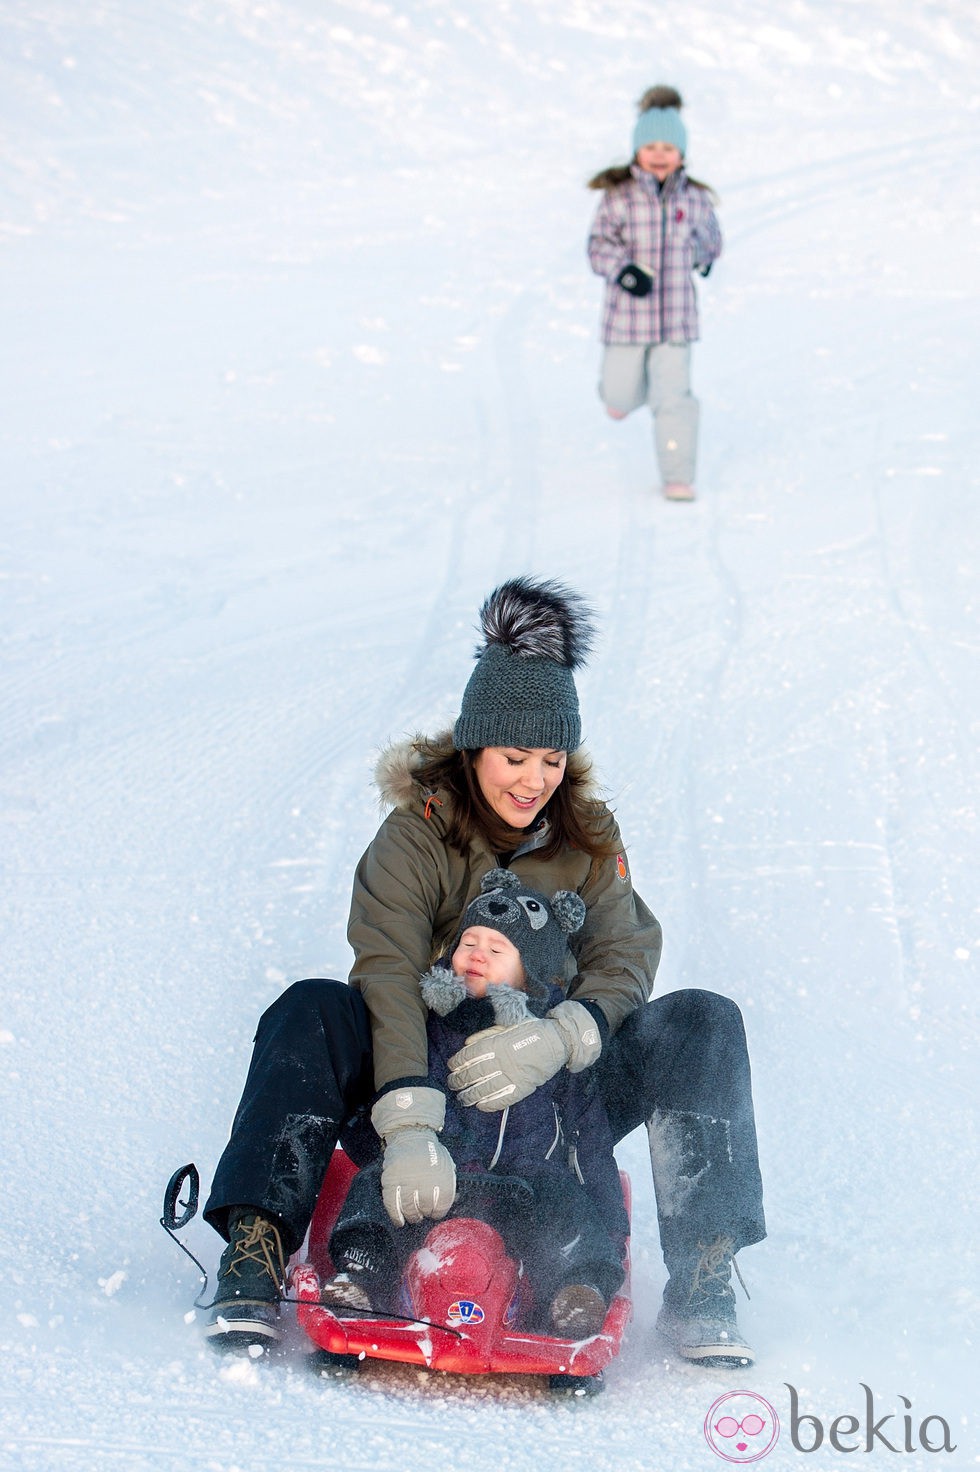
419 1177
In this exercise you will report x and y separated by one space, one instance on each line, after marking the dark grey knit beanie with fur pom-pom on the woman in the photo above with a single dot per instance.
523 693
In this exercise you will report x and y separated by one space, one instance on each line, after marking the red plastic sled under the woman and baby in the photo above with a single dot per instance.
467 1301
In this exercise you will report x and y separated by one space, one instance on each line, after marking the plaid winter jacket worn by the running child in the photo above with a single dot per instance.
667 229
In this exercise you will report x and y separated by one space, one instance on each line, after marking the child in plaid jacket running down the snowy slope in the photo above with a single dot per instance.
654 227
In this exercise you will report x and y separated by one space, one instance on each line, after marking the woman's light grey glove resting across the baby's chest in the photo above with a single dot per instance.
503 1066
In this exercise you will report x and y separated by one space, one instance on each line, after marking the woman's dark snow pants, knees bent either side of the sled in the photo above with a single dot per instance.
678 1065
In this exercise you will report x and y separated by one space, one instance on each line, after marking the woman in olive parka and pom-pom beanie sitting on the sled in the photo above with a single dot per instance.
510 787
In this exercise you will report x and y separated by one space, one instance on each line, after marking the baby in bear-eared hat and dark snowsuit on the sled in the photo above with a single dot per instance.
508 963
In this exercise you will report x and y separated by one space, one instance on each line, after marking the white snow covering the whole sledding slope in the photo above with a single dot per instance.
299 358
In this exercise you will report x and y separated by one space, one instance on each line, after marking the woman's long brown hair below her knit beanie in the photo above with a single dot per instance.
572 810
